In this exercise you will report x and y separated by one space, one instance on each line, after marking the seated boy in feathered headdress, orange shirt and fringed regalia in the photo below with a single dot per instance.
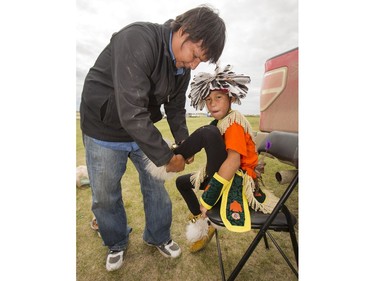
231 158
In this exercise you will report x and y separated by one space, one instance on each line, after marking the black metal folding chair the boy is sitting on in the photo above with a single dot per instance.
284 147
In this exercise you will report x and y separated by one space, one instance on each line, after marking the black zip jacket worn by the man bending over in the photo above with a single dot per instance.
124 90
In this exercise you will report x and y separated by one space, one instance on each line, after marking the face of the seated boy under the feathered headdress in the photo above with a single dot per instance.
218 104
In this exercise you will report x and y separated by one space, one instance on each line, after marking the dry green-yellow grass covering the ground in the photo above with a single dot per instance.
146 263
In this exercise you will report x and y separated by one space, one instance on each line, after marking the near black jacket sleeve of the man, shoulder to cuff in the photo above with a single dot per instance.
132 62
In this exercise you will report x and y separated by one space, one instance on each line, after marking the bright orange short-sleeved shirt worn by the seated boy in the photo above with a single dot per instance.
236 139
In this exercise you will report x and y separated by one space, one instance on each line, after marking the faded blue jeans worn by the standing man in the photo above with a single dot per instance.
105 168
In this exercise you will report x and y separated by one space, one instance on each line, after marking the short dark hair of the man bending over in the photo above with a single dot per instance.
203 23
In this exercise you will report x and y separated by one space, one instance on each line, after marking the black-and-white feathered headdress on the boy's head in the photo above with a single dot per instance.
203 83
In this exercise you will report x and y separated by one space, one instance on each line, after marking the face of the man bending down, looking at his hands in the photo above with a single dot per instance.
187 53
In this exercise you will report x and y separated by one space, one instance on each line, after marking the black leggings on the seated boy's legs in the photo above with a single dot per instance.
209 138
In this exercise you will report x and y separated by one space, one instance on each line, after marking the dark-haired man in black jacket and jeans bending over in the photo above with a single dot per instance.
144 66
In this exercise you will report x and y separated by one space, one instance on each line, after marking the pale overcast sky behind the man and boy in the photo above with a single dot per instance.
256 31
